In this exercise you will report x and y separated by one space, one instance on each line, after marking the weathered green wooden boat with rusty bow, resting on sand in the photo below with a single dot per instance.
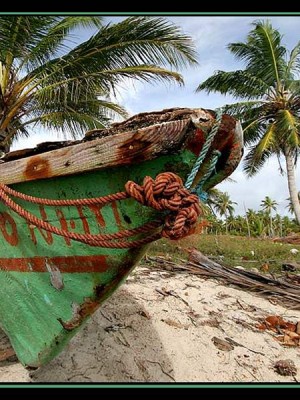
50 283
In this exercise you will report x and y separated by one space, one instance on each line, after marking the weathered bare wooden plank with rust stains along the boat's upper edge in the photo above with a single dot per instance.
111 151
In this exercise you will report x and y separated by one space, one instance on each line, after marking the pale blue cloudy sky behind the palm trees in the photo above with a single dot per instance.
211 36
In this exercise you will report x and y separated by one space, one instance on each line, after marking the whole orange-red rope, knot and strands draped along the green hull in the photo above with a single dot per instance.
165 193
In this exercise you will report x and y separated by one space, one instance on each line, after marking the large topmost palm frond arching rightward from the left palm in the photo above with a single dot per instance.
130 43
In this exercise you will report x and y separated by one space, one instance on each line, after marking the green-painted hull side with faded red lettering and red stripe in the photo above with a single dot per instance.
50 285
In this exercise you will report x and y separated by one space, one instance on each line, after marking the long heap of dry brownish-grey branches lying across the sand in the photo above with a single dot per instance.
279 290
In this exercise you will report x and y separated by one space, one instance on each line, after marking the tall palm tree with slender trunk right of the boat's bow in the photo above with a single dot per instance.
268 88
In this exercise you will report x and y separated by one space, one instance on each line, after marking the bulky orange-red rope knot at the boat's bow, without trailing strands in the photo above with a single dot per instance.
166 192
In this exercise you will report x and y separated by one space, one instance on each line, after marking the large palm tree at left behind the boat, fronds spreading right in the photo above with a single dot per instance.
43 83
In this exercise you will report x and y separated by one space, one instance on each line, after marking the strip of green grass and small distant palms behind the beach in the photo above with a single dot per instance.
237 239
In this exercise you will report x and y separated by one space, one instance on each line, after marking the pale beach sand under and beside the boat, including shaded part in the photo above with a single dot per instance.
165 327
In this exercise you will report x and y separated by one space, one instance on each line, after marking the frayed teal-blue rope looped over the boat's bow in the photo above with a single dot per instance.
202 155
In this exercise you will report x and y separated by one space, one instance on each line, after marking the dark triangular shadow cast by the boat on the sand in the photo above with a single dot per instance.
119 344
